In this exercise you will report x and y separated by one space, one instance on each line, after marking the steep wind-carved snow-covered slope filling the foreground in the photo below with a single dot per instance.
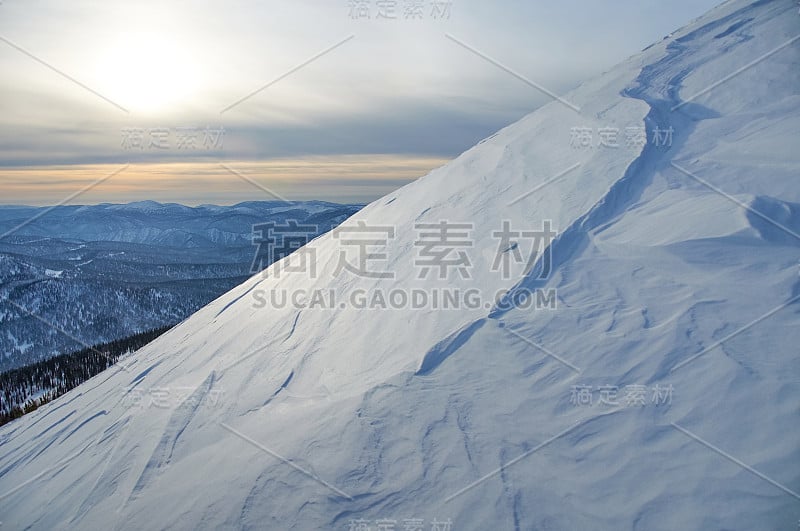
676 270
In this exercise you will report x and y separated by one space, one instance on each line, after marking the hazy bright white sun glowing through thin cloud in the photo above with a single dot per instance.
148 72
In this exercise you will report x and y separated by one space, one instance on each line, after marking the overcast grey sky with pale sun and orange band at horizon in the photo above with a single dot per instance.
381 95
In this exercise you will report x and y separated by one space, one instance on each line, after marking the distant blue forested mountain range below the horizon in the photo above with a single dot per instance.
77 275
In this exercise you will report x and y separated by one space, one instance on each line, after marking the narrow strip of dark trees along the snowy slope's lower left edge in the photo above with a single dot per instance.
24 389
